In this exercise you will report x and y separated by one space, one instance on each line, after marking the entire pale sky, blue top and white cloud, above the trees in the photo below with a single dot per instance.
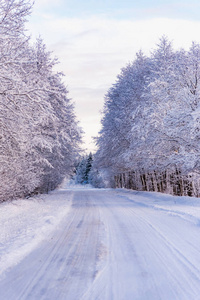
94 39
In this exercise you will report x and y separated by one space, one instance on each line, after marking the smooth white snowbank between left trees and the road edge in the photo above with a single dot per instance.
25 223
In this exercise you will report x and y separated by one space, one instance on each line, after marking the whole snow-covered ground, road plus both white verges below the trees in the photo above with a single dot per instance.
100 244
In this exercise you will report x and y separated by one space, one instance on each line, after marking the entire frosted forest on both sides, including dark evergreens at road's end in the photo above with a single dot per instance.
150 124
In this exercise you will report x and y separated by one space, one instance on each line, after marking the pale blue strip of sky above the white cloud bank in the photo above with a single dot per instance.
133 10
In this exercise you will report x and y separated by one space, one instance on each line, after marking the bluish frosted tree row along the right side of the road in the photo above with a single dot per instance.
150 127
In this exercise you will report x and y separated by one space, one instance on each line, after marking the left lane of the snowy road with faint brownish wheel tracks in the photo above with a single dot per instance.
64 267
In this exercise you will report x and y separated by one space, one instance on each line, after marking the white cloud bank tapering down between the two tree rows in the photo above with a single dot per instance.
92 51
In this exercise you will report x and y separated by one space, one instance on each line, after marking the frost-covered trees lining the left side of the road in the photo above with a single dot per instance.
39 134
